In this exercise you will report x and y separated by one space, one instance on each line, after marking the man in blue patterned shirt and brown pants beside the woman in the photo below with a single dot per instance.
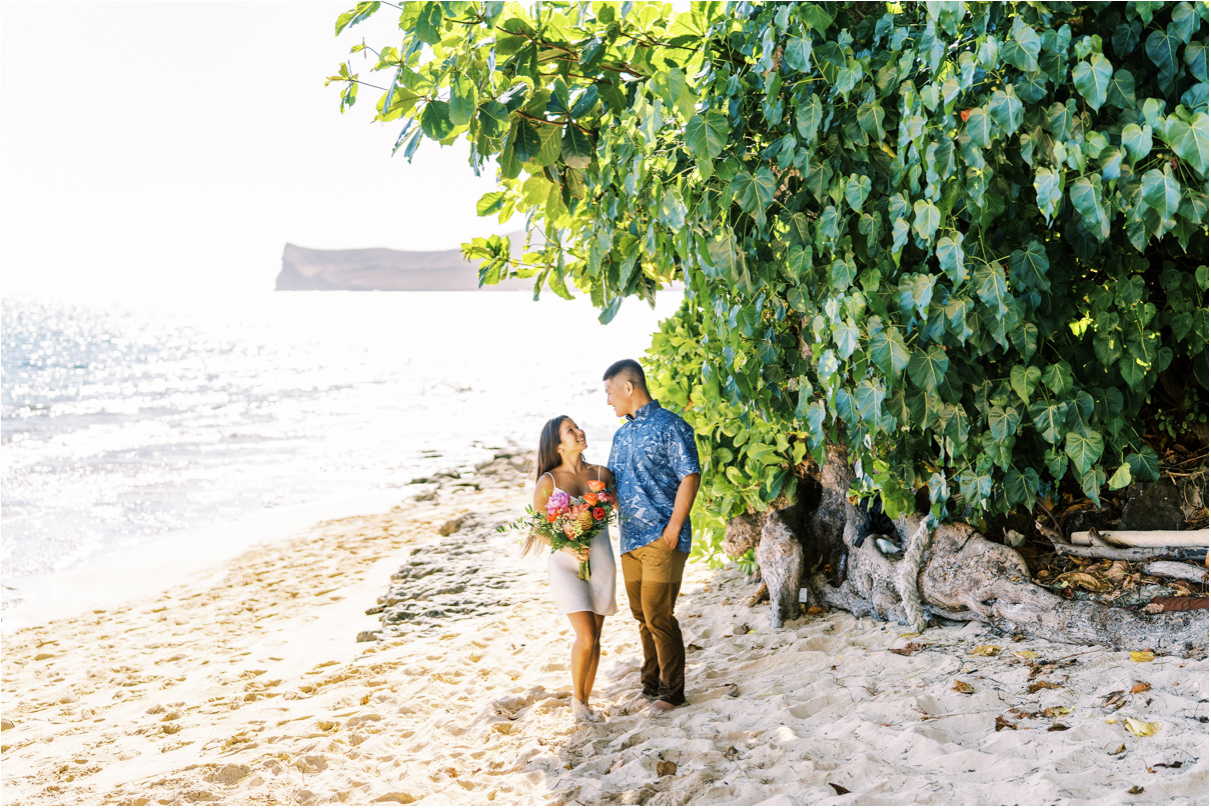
656 463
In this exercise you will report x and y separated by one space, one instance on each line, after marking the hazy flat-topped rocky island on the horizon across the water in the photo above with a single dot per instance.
380 270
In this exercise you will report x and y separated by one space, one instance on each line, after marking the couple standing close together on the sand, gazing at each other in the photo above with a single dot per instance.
655 467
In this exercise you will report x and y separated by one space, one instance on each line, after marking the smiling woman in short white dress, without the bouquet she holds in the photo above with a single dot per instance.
563 467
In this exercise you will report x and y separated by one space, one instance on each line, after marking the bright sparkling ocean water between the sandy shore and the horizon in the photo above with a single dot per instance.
129 421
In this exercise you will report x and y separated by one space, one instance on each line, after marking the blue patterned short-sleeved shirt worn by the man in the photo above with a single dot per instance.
652 454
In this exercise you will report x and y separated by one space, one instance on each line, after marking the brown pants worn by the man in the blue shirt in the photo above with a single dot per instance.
653 576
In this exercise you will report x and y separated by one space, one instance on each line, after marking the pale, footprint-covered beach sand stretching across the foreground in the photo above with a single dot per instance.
249 689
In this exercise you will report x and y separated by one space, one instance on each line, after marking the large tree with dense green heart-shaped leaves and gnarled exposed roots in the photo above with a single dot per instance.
951 254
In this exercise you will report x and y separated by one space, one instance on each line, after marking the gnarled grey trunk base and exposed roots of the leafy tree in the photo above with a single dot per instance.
952 572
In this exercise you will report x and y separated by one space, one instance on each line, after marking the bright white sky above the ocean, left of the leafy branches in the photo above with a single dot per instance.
177 147
